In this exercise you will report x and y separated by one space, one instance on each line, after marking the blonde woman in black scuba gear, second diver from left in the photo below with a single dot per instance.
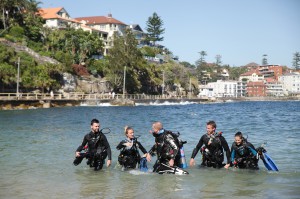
129 156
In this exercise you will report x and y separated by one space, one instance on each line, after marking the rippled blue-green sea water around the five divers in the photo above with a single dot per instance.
37 150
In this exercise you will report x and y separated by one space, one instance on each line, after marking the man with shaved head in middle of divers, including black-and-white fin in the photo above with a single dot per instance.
166 148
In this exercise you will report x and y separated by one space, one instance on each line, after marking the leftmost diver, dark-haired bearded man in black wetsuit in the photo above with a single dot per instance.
98 148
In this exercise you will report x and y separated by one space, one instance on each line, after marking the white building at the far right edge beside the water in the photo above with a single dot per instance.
291 83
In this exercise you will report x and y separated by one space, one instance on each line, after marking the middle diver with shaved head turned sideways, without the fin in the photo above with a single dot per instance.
165 148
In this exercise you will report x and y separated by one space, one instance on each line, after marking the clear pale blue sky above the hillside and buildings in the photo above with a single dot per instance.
241 31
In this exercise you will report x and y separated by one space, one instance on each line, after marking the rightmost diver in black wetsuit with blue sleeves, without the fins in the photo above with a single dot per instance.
243 153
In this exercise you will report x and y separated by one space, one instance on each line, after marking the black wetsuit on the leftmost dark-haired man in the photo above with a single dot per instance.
98 149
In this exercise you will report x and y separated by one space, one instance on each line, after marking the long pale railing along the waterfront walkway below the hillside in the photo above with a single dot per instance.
83 96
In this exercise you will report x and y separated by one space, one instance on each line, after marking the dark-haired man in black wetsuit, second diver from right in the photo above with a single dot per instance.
214 145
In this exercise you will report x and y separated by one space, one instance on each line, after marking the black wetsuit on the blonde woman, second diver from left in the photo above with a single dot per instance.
129 156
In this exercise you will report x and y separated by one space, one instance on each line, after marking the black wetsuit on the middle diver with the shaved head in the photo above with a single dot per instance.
166 149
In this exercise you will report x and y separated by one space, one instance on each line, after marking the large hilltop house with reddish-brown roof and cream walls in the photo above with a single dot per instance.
106 24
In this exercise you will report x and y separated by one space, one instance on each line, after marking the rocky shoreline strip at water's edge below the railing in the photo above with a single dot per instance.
52 103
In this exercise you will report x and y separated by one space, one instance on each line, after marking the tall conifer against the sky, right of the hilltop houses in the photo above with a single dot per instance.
155 28
